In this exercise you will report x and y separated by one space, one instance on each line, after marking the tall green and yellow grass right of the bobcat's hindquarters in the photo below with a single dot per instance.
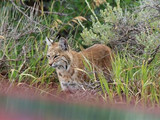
133 81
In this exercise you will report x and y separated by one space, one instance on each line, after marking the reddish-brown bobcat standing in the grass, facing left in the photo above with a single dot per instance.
70 66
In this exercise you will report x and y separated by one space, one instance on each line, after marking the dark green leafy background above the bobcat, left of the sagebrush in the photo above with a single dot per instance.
70 9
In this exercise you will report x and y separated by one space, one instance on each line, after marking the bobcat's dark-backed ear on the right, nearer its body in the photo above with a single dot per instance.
63 44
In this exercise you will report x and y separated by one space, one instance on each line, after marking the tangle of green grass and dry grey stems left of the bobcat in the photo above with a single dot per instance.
21 56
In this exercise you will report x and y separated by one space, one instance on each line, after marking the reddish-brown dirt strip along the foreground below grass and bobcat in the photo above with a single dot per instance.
52 92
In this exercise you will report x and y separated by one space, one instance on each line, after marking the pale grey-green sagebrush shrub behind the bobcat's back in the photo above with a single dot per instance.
136 30
